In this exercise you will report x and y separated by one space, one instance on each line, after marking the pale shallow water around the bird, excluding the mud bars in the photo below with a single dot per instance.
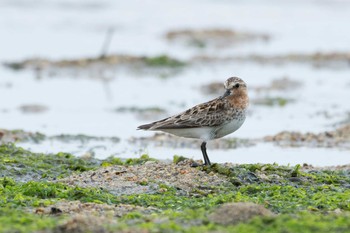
61 29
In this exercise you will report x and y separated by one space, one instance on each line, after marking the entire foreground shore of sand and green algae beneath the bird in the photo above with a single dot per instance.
147 195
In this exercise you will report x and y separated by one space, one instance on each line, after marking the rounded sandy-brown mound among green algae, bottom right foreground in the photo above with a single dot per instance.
233 213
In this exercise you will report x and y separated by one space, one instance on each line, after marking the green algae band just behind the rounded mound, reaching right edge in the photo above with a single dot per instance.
280 199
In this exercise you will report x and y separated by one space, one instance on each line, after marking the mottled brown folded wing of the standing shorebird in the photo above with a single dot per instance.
212 113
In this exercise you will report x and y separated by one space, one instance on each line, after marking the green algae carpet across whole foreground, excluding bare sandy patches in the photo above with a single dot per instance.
303 200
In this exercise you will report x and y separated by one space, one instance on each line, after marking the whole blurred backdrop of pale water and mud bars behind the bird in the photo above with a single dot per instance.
80 76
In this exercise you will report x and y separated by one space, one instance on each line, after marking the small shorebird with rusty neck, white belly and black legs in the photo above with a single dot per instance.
211 120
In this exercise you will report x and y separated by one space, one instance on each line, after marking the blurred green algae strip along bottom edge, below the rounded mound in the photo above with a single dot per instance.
196 222
